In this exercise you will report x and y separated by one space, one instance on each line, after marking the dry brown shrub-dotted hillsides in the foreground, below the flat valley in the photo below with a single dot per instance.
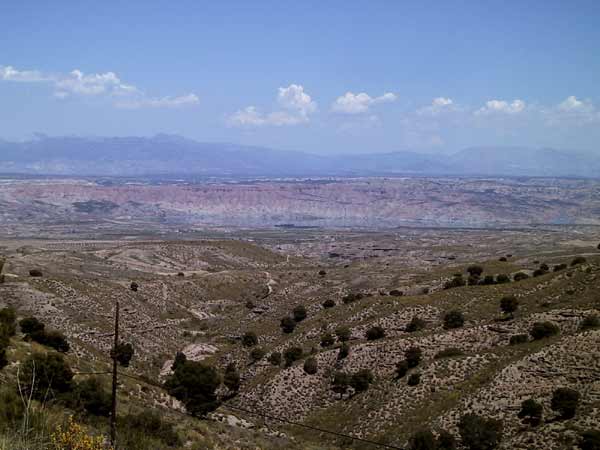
360 306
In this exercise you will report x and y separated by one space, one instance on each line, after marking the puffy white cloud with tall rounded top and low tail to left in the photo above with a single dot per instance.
296 106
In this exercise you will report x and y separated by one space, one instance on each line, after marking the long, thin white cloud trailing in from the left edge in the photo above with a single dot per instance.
108 84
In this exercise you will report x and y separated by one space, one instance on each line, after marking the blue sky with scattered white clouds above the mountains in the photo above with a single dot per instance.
318 76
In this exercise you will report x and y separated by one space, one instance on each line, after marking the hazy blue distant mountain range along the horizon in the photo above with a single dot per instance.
175 155
